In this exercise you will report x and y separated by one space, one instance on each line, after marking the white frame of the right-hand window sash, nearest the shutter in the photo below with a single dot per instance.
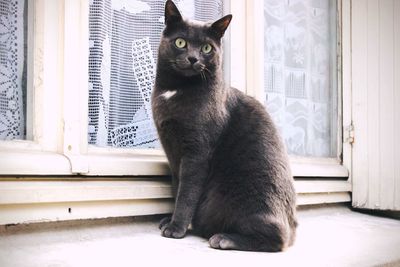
301 166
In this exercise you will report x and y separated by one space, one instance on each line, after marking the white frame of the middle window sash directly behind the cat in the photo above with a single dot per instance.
92 160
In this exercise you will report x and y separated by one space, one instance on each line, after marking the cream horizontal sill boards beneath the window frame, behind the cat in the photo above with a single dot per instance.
64 198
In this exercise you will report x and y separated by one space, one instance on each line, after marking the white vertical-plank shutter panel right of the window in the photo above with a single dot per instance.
376 103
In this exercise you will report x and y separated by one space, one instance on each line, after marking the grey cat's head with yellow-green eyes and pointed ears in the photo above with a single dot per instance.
191 48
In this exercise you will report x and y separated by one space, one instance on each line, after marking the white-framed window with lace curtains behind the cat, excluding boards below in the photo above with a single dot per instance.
91 81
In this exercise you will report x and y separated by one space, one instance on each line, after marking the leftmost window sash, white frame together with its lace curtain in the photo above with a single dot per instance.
31 88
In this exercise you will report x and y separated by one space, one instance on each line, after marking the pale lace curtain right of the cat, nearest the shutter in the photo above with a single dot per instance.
300 73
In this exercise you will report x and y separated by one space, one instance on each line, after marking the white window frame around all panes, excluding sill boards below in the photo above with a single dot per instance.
59 144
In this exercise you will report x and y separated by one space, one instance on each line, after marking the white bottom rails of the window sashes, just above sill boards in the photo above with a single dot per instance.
34 162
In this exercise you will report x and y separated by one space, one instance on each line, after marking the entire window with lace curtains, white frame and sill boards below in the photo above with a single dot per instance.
84 72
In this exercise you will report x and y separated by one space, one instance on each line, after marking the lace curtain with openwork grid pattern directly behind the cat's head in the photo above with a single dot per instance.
124 37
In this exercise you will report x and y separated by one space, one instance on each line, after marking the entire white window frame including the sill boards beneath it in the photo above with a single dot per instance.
119 183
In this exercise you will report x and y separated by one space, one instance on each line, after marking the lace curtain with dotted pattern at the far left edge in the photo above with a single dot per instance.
12 69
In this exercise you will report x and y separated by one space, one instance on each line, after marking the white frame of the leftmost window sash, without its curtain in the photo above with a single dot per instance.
39 154
